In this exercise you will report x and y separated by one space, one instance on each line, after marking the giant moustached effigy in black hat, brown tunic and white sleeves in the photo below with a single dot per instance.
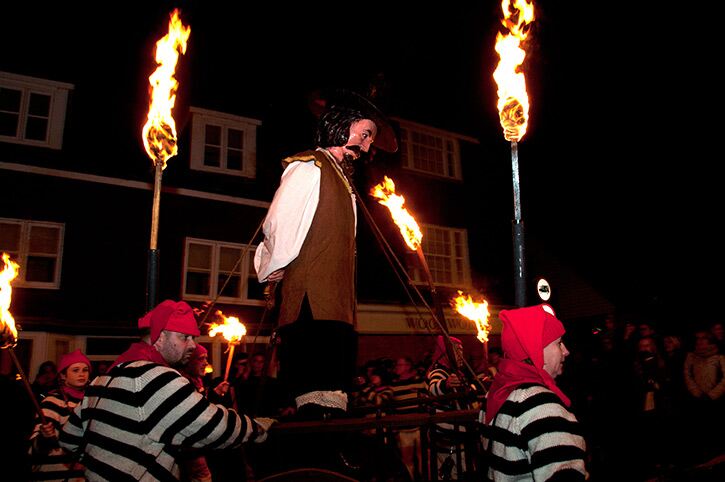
309 246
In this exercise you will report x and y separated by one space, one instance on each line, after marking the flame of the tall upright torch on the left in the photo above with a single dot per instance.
159 133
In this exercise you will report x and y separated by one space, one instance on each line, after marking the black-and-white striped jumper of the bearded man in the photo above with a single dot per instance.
134 419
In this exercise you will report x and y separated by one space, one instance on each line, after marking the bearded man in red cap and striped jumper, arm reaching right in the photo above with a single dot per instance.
134 418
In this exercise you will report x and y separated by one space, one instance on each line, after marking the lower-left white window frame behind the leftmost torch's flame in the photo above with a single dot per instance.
21 256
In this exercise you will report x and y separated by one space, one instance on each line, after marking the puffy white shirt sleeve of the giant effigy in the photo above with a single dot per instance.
289 218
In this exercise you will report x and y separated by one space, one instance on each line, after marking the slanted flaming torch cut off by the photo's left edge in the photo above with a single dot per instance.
8 331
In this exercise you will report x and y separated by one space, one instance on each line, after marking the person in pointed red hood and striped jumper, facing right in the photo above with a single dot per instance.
529 434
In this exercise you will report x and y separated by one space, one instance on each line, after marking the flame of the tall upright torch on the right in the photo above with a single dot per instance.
513 101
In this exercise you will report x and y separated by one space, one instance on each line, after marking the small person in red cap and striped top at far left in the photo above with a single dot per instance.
49 461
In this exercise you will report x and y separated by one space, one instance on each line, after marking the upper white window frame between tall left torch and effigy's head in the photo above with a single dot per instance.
201 118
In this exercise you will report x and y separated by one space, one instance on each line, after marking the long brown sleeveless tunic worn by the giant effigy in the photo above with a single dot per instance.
324 271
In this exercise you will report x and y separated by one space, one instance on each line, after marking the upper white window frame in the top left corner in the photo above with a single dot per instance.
27 86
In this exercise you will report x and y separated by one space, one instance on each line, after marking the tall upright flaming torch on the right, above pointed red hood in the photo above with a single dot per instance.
513 108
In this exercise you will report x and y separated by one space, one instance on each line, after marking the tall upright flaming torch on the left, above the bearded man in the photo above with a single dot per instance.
159 132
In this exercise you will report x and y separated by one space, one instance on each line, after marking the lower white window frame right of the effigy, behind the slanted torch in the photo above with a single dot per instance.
460 278
